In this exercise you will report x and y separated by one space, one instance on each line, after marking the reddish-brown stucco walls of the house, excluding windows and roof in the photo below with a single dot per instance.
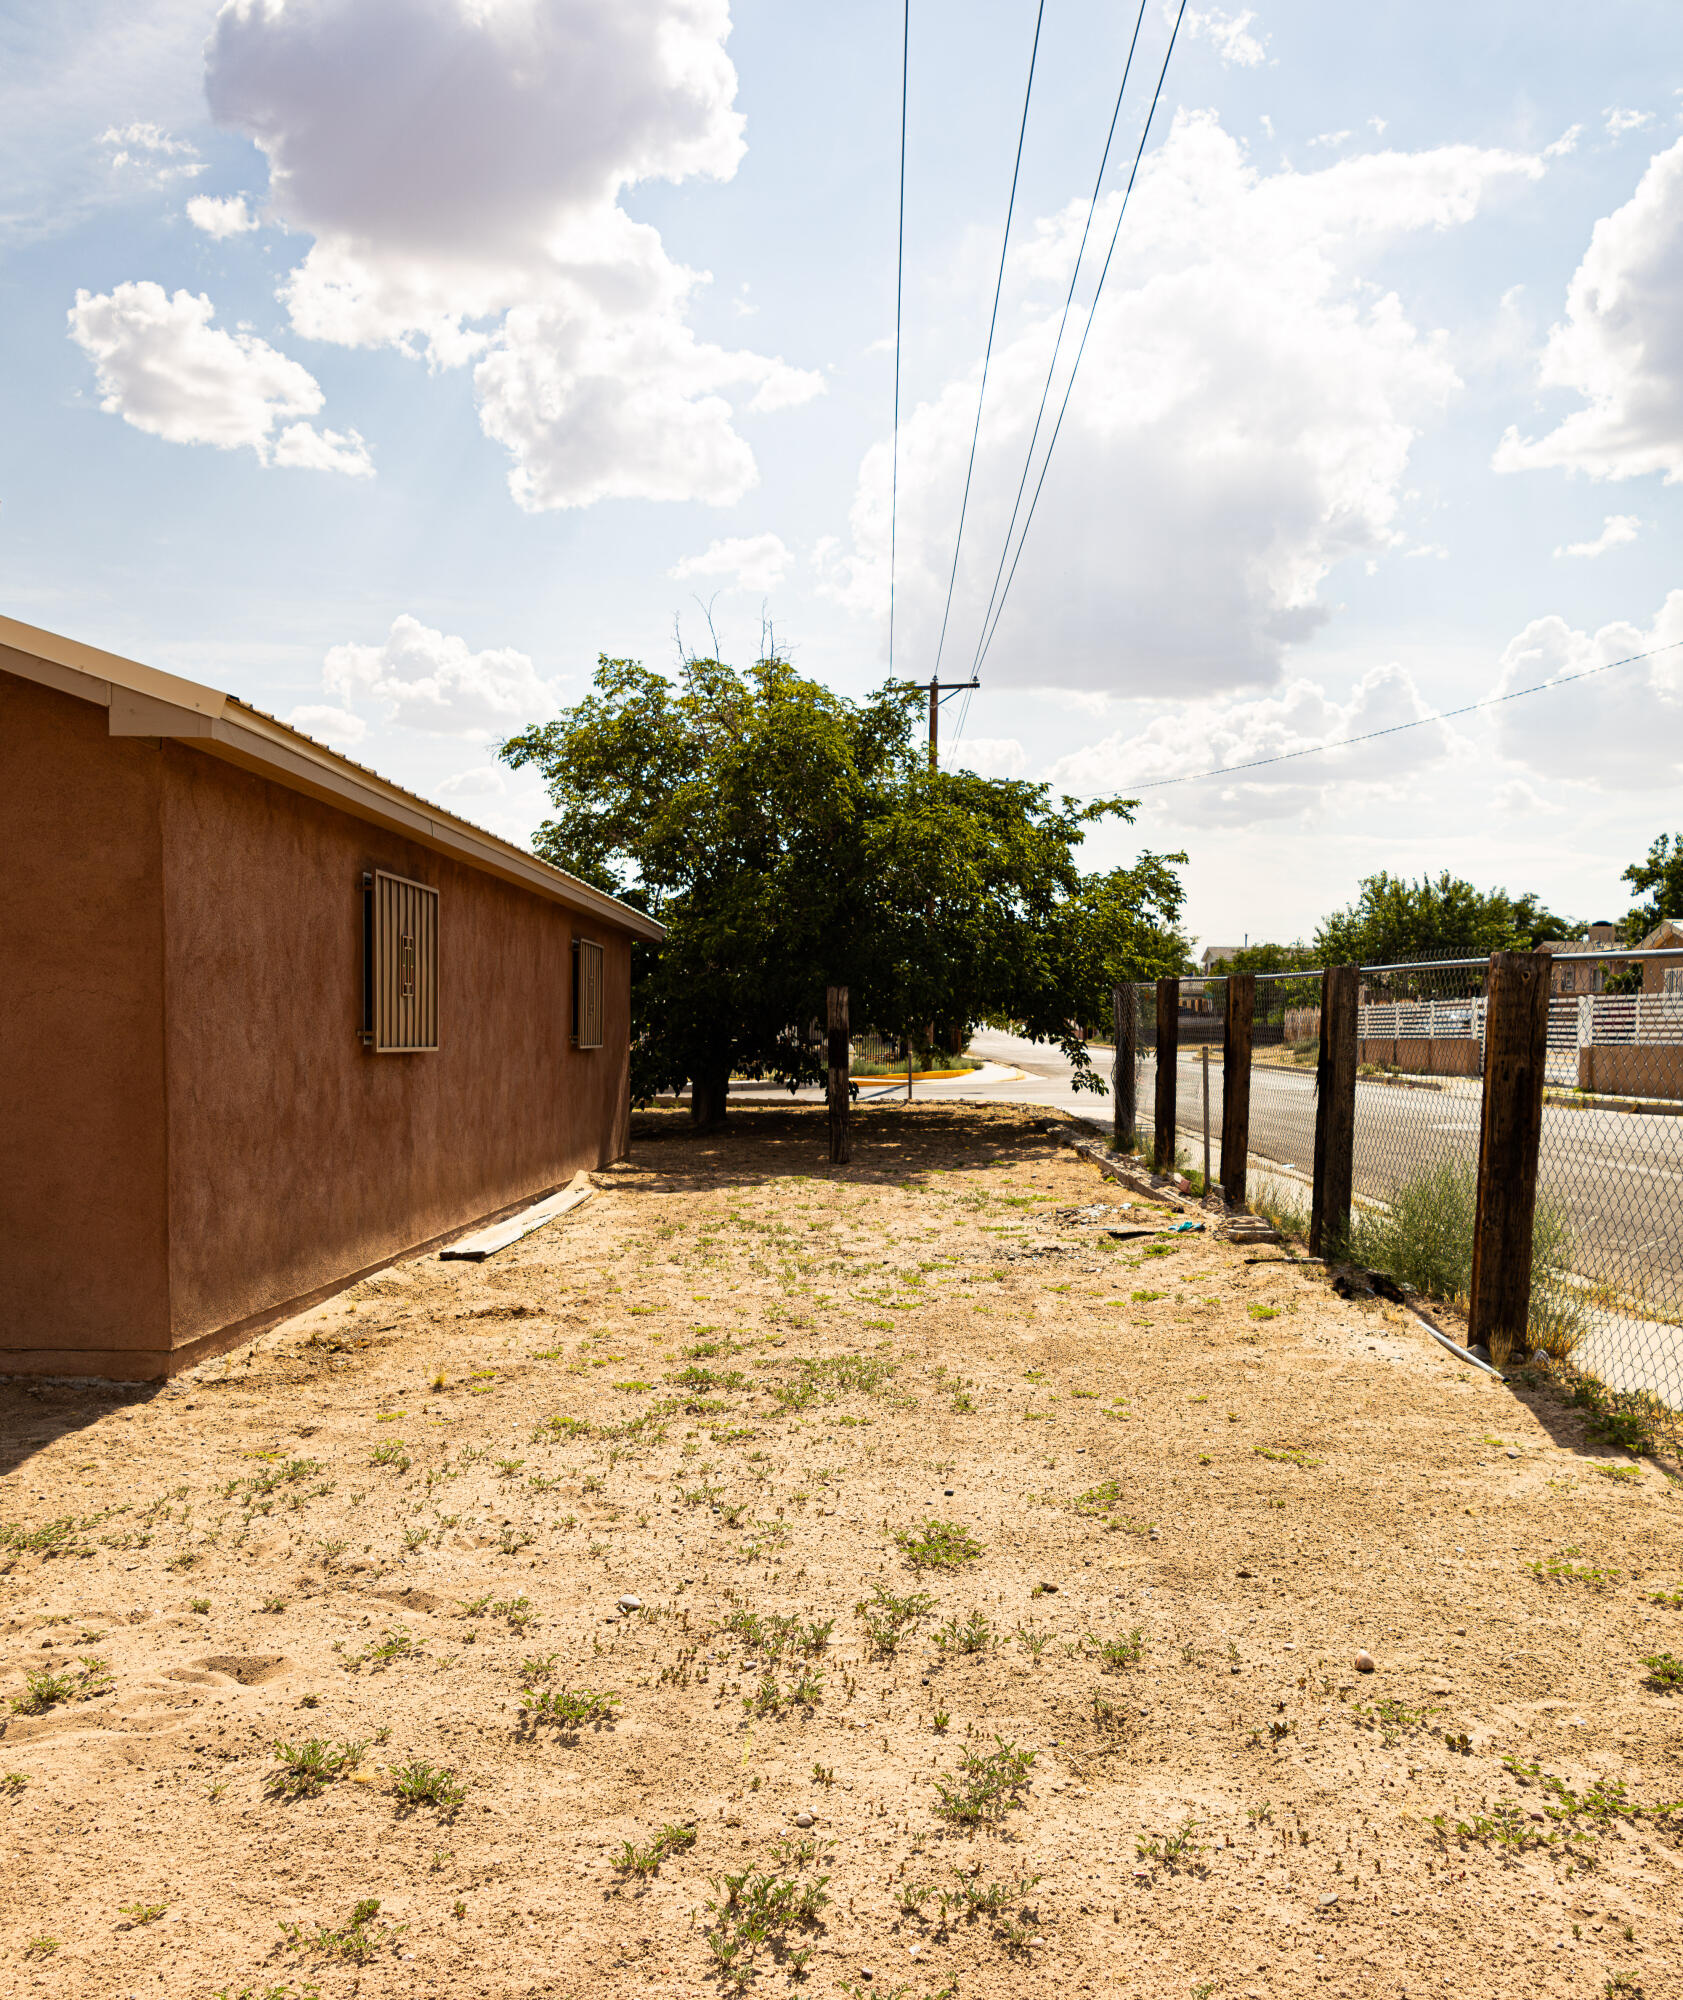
217 1105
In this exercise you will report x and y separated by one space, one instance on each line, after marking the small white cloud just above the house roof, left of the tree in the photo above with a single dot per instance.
435 681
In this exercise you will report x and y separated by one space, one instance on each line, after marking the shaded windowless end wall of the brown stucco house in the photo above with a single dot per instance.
83 1133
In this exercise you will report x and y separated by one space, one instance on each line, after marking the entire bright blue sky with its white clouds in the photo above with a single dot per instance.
385 361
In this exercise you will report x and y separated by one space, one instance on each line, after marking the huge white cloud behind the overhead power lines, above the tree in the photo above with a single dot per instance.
1216 463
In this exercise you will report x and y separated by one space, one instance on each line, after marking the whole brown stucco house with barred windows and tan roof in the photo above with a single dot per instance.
271 1021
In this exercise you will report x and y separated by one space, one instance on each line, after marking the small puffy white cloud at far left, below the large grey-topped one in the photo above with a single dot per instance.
165 369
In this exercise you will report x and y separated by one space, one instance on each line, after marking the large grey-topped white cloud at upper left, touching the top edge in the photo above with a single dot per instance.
461 165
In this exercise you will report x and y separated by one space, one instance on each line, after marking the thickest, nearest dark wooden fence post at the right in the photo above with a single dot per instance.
1510 1135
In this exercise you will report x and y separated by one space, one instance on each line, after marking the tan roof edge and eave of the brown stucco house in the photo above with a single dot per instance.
141 701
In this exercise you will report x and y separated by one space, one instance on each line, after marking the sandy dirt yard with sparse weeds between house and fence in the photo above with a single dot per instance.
874 1581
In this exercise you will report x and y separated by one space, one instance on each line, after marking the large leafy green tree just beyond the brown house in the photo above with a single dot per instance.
791 839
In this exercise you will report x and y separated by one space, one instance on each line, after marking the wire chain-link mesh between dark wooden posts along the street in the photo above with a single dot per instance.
1608 1249
